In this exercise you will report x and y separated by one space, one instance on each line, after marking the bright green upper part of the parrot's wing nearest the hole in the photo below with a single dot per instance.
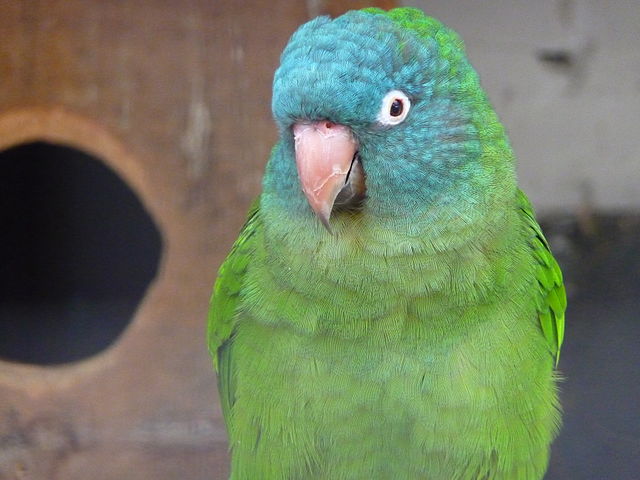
229 283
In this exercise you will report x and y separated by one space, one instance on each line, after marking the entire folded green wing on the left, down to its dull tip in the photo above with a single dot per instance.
224 303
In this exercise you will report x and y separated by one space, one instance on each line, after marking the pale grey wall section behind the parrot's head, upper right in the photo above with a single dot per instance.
564 76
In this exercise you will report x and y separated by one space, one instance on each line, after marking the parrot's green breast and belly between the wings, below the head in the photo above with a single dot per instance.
429 365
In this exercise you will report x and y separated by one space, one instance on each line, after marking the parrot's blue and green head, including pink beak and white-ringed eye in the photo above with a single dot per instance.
381 113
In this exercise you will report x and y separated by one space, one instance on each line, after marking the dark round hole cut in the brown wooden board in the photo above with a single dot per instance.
77 253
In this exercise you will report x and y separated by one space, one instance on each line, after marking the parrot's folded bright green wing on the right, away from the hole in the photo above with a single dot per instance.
552 300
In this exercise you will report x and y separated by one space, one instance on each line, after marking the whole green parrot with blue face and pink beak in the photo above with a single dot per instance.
391 308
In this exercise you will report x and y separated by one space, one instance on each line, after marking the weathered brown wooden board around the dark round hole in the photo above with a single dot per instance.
175 97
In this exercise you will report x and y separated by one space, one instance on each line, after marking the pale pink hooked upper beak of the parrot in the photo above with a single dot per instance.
325 153
